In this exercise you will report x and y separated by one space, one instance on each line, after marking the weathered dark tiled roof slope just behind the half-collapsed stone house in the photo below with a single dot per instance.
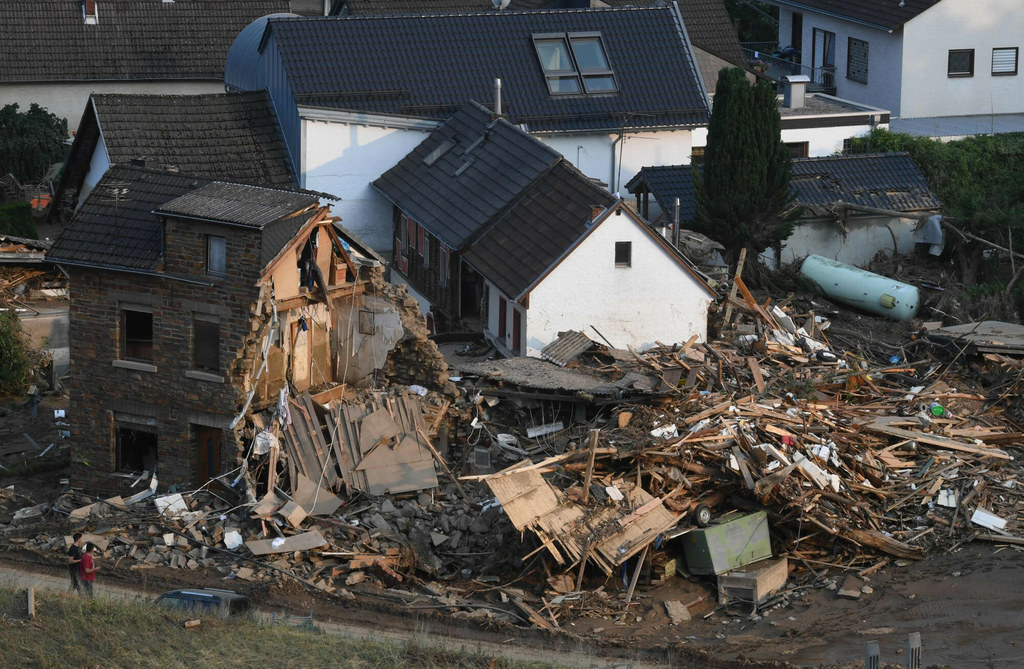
232 137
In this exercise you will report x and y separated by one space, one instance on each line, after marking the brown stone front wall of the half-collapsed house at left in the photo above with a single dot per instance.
167 399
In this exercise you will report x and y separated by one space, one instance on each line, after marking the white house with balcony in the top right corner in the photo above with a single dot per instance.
920 59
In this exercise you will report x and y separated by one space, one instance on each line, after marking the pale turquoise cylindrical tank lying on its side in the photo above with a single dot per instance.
862 289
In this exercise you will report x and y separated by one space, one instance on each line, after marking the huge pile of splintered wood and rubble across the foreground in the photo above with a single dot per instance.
520 498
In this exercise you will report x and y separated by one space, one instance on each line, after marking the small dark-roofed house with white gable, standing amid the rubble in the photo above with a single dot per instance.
495 230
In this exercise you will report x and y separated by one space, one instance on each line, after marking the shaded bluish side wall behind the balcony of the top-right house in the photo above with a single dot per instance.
884 58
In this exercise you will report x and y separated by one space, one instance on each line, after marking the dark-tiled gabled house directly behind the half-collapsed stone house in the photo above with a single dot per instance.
216 136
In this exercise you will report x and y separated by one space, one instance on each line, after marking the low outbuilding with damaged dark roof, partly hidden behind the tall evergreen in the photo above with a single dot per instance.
851 206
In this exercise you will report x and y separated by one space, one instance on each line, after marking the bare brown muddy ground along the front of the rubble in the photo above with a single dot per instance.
967 605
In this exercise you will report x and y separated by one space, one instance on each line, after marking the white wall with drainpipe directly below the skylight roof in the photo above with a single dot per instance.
592 154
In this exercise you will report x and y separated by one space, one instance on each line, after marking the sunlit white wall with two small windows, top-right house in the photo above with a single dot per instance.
978 25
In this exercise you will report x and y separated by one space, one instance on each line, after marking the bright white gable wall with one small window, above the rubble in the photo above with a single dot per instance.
655 300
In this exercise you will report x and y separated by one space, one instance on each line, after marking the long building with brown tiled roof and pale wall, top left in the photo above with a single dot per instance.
57 53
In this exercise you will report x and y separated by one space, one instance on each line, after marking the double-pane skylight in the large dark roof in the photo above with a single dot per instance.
575 64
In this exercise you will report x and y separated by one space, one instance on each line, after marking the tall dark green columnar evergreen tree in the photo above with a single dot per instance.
744 196
